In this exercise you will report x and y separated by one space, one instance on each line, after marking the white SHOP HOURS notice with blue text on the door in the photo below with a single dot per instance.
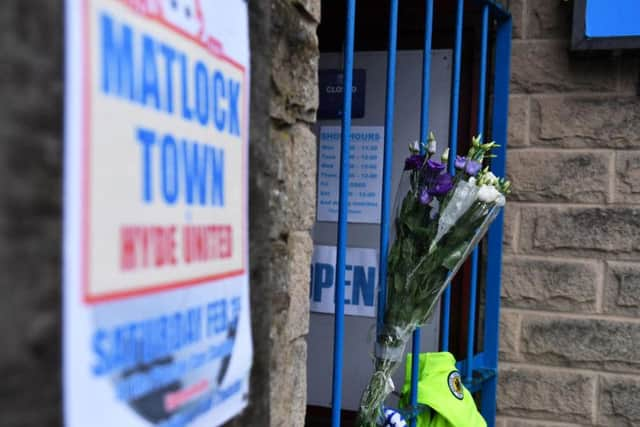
365 173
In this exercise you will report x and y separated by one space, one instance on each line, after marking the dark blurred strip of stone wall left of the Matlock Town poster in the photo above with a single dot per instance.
31 116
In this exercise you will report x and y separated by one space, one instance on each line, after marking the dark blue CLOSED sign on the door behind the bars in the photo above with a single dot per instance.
331 87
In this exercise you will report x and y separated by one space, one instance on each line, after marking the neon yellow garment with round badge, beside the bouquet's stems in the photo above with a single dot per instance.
440 388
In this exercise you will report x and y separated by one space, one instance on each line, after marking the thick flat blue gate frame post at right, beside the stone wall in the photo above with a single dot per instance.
494 254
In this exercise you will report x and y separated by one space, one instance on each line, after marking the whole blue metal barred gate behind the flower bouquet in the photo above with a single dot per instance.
479 369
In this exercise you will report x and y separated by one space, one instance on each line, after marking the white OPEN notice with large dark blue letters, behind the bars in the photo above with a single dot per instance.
361 281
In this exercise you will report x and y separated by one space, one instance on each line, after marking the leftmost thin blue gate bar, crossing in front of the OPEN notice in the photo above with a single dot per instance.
338 333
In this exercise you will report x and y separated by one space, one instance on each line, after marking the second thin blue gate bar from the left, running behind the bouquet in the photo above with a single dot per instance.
387 164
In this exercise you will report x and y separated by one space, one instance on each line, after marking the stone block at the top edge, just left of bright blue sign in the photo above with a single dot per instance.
548 19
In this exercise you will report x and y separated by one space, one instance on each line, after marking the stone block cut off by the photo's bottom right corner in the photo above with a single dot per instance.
619 404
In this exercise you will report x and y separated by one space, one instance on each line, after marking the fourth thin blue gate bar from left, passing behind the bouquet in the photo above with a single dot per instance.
453 146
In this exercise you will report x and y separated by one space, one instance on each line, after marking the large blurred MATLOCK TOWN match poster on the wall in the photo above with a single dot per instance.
156 307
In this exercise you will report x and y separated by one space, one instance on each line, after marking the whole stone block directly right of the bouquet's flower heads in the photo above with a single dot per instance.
556 176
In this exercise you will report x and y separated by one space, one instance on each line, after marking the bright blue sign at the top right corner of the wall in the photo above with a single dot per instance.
607 18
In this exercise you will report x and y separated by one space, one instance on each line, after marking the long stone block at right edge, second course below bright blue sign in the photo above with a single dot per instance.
598 122
